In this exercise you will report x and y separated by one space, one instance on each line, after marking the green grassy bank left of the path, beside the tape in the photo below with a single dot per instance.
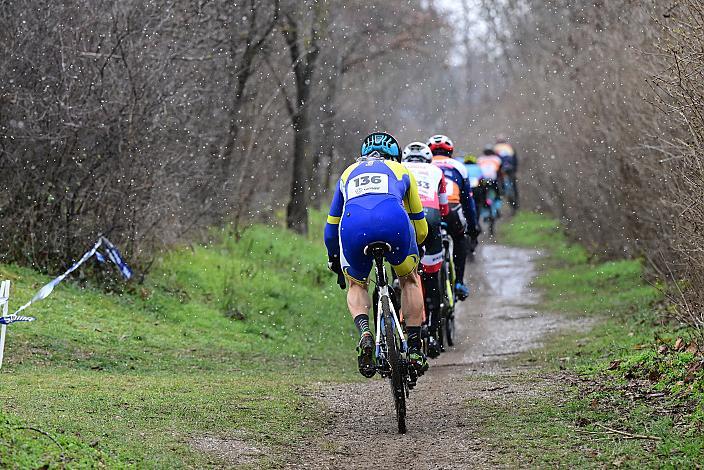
216 342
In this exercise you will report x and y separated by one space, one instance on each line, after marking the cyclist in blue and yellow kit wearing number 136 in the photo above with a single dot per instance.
377 200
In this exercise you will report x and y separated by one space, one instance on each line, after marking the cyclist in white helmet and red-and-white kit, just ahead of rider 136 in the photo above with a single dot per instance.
417 158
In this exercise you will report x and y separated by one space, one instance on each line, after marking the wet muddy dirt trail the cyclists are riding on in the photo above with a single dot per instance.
497 322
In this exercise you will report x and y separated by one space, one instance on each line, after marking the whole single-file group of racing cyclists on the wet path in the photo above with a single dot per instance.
407 199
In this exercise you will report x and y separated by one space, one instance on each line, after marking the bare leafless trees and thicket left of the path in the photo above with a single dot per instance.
149 121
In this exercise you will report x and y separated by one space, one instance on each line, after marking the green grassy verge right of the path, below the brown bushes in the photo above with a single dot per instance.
626 393
